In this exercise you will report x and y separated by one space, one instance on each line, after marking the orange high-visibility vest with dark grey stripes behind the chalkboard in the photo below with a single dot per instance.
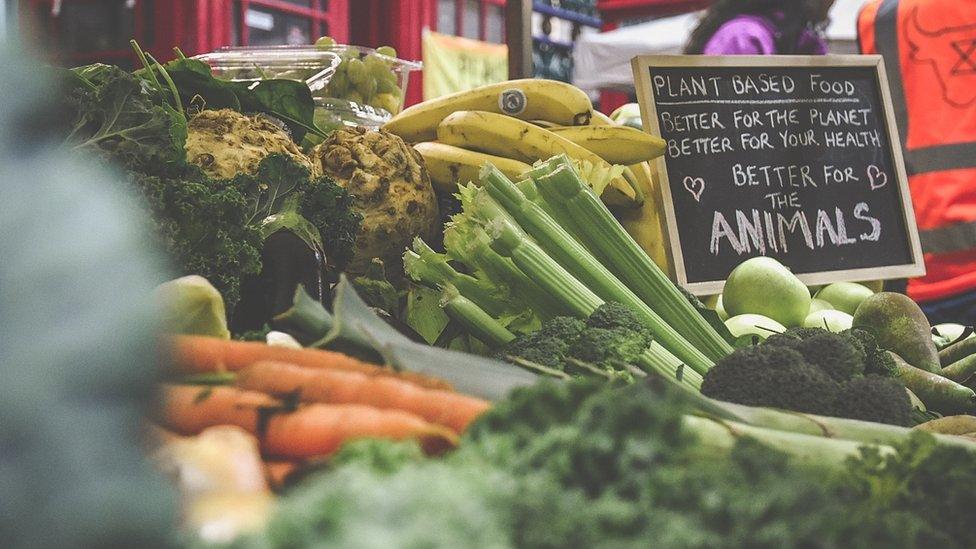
929 47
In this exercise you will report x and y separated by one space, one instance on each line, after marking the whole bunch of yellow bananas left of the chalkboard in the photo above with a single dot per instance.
516 123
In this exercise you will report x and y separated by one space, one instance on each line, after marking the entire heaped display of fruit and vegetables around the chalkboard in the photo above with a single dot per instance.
460 330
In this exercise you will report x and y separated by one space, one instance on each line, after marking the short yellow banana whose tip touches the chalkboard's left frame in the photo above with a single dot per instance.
615 144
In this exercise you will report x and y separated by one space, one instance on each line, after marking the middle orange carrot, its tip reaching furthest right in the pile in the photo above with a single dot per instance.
339 387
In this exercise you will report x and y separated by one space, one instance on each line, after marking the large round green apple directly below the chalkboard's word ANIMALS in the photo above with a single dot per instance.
763 286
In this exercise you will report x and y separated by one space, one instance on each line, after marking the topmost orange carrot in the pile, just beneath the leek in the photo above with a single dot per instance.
199 354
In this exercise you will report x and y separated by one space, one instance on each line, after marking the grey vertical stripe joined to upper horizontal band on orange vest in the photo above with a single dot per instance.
927 159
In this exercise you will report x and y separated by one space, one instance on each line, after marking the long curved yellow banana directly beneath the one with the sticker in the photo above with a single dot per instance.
513 138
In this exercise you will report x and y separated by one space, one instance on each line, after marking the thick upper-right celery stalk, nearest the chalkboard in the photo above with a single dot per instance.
590 219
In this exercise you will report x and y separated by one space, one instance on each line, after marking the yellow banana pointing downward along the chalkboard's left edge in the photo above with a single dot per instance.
647 224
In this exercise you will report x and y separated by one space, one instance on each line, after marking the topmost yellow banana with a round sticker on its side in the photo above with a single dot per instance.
528 99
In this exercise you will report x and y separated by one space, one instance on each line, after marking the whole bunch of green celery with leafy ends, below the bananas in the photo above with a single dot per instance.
548 246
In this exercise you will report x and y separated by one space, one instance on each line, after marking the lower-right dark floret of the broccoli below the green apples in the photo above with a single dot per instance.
874 398
